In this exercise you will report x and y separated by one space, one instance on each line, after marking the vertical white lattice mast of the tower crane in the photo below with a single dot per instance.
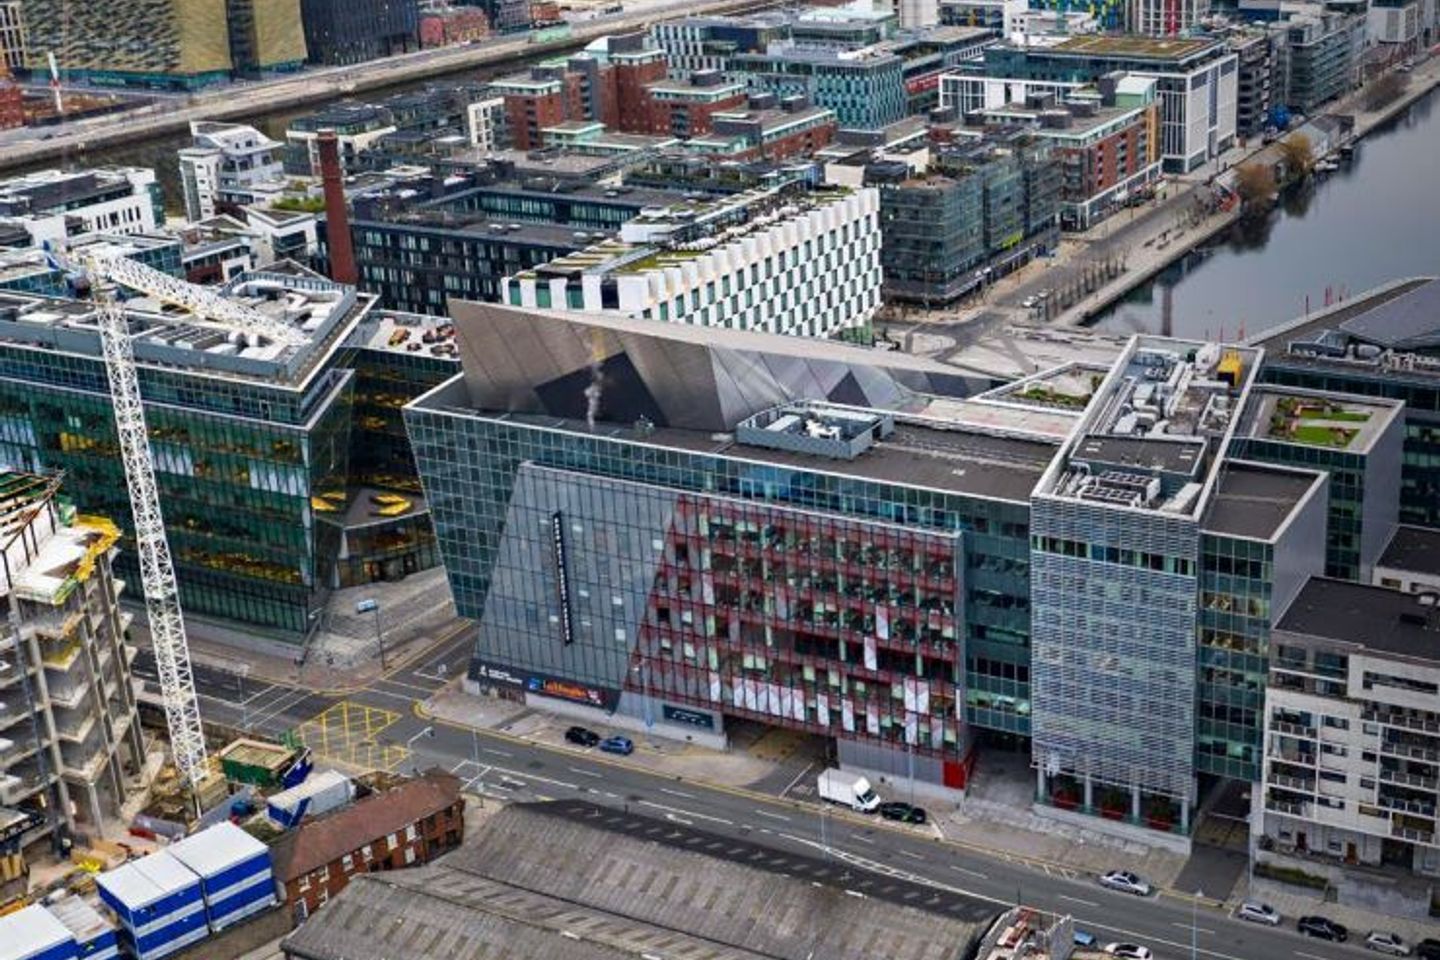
158 571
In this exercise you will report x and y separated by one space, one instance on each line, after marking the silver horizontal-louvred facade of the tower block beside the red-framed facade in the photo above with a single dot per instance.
1114 666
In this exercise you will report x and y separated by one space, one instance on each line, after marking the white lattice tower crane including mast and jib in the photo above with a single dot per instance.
158 574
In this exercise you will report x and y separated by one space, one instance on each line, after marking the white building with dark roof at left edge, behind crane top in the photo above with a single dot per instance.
54 207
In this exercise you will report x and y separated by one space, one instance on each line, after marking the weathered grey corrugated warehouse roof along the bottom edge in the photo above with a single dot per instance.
572 880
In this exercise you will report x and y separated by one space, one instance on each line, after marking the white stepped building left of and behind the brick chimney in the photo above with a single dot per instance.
225 168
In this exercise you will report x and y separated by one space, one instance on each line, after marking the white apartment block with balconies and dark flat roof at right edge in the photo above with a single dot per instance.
1353 732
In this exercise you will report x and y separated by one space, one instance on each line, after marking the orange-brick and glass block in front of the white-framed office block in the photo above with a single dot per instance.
1102 139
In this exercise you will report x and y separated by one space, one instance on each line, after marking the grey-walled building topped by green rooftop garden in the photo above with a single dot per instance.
1357 443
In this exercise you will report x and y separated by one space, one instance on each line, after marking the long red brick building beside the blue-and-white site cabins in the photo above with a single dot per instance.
407 825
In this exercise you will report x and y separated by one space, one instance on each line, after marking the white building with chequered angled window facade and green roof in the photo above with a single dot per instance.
780 261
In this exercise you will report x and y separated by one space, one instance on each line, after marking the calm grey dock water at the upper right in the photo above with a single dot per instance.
1374 221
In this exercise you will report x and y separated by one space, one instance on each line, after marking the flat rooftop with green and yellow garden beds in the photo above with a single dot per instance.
1327 421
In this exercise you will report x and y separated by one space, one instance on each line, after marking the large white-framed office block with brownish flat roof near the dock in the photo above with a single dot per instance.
1196 84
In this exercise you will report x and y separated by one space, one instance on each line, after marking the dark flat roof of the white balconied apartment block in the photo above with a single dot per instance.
1374 618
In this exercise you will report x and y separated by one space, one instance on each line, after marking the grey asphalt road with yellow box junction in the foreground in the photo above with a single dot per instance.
502 768
